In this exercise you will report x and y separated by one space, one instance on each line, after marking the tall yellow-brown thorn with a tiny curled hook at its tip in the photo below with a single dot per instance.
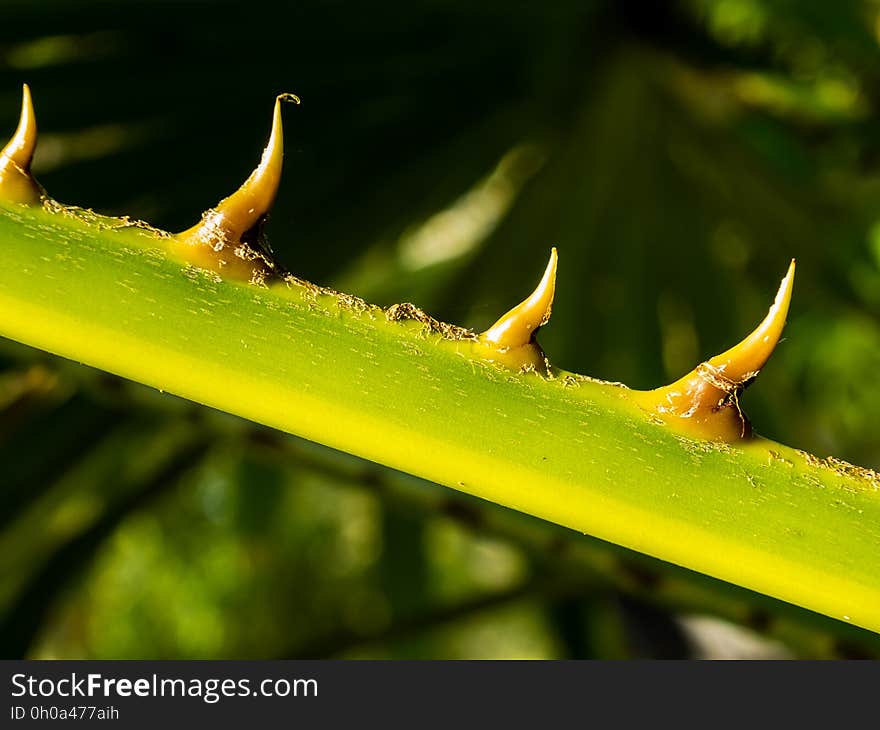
226 240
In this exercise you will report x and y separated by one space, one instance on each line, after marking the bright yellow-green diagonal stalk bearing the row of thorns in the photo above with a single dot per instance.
572 451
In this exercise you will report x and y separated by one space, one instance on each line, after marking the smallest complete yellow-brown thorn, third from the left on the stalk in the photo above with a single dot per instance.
511 340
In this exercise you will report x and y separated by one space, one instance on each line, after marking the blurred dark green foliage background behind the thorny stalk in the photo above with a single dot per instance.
677 153
